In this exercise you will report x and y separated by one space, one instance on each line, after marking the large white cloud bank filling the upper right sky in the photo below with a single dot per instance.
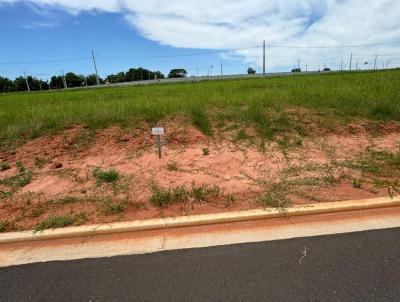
226 24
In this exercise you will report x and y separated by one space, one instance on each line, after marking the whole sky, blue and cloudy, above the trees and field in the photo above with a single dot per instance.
47 37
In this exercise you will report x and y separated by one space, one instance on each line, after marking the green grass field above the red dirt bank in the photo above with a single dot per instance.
259 103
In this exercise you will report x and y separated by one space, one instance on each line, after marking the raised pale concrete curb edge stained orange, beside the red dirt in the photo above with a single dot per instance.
195 220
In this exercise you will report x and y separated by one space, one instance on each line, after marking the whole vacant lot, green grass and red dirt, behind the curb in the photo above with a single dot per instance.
80 156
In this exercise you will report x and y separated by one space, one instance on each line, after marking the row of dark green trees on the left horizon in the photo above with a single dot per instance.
72 80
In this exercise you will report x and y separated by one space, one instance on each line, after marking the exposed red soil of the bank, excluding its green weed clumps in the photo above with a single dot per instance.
246 172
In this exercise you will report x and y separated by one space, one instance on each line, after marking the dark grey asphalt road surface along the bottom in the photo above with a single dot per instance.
361 266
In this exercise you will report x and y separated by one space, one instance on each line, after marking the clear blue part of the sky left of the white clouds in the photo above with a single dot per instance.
32 36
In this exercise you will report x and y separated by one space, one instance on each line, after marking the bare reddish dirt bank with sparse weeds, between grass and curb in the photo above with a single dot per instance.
53 177
